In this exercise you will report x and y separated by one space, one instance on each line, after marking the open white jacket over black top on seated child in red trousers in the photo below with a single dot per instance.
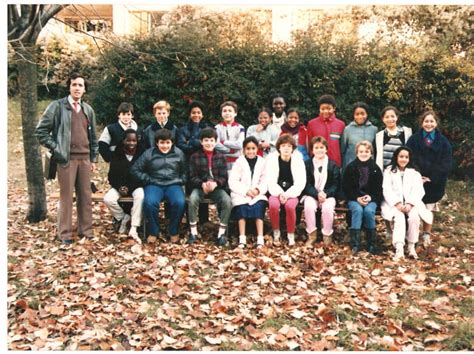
298 170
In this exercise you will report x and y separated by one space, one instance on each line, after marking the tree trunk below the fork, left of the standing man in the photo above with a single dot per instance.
27 84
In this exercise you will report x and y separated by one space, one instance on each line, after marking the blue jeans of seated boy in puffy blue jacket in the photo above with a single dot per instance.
174 195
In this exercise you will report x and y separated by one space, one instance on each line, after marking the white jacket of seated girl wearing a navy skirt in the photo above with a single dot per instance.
241 180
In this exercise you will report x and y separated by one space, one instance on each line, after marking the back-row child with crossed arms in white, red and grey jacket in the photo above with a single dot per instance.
230 134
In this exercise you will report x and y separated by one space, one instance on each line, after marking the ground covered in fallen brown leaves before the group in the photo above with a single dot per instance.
111 294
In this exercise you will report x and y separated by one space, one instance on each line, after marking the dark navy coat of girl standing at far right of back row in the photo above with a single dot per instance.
434 161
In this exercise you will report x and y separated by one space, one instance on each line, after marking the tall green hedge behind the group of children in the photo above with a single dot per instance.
179 69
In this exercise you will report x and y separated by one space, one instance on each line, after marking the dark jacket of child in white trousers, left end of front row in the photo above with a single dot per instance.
119 171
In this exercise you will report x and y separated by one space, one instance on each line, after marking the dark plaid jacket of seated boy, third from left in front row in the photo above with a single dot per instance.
199 171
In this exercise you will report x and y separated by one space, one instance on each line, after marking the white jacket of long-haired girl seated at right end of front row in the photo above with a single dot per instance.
409 190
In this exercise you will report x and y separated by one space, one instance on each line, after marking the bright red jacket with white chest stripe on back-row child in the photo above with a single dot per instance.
331 130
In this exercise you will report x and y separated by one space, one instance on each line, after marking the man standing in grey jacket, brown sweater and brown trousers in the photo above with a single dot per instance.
67 129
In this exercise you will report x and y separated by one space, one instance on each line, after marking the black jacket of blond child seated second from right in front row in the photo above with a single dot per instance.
350 181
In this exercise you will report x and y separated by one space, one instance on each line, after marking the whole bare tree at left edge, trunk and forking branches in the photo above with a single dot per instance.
25 23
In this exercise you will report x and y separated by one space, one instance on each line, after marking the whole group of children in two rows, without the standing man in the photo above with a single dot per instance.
279 162
